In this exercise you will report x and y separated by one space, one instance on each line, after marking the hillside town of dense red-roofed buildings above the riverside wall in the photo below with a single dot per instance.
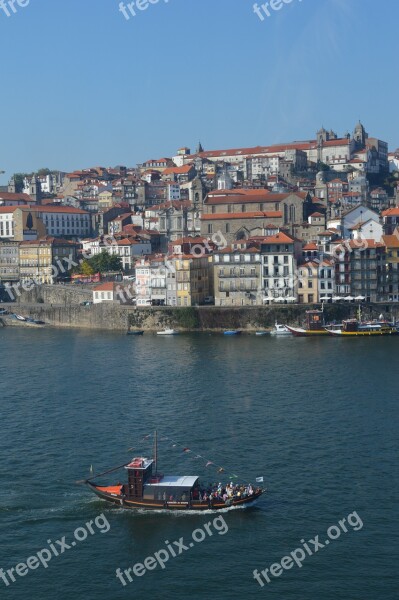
301 222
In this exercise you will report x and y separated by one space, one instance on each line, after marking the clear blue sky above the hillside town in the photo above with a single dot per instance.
83 86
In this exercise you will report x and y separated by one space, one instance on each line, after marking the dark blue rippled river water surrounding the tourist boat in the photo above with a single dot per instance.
317 418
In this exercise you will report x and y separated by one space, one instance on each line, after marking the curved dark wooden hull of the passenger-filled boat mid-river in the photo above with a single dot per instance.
113 495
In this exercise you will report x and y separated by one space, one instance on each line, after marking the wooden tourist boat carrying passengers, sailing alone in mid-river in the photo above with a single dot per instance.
148 489
